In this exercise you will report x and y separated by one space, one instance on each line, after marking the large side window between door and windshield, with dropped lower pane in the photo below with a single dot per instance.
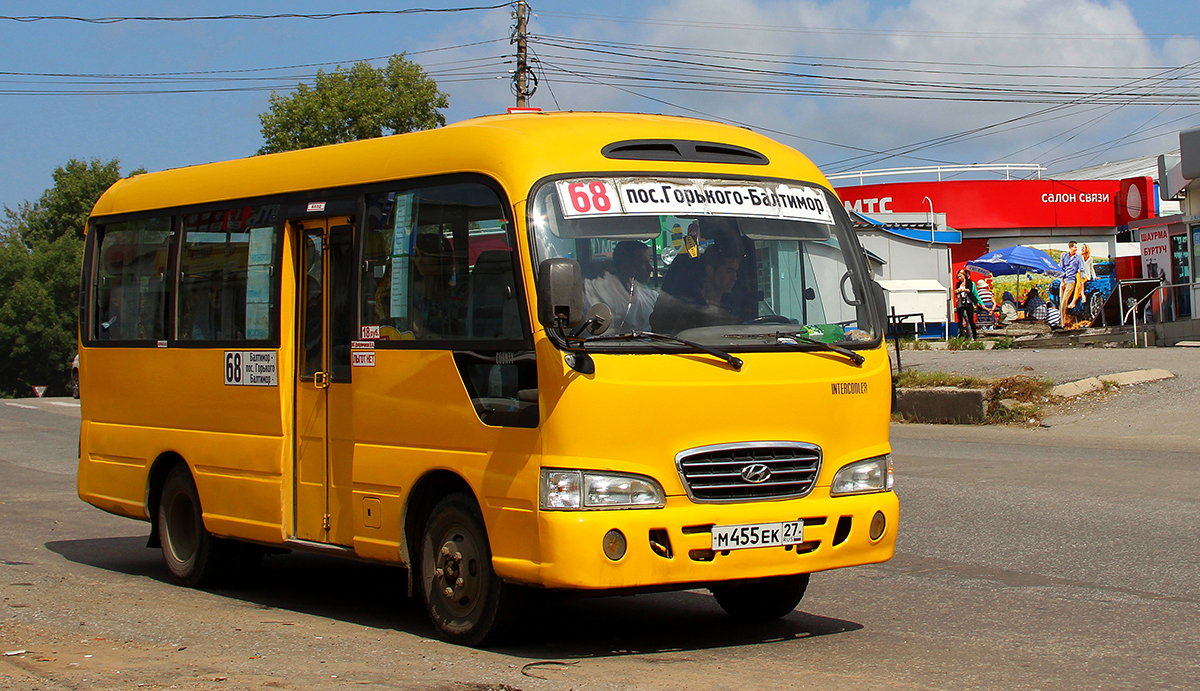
440 271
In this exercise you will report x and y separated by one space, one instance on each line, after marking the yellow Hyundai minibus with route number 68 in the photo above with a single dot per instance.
602 353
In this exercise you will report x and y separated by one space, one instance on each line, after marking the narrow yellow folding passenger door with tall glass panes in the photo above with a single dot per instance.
323 437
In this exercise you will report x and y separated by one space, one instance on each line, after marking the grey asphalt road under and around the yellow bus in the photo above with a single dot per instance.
1028 560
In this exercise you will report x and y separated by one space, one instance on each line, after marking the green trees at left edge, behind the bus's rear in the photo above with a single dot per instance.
41 249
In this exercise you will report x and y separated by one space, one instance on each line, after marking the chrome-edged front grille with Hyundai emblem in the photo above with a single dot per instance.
721 473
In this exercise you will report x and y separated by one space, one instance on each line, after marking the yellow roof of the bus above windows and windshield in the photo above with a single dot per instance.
515 149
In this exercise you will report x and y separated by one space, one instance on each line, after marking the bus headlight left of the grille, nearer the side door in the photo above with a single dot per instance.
566 490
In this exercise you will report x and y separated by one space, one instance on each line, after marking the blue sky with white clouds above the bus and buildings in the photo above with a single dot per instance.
856 85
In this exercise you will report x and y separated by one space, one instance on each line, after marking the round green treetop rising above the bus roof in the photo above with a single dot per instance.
356 104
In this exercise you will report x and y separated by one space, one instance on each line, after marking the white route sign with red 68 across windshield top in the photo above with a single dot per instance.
640 196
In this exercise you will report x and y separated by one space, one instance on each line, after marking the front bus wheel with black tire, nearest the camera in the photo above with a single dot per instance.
467 603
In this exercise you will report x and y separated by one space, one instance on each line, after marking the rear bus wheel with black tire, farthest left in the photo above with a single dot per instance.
194 556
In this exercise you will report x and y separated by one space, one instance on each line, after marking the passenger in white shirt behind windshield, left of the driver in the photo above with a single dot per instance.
623 290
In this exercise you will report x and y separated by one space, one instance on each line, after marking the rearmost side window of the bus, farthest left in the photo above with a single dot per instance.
131 286
